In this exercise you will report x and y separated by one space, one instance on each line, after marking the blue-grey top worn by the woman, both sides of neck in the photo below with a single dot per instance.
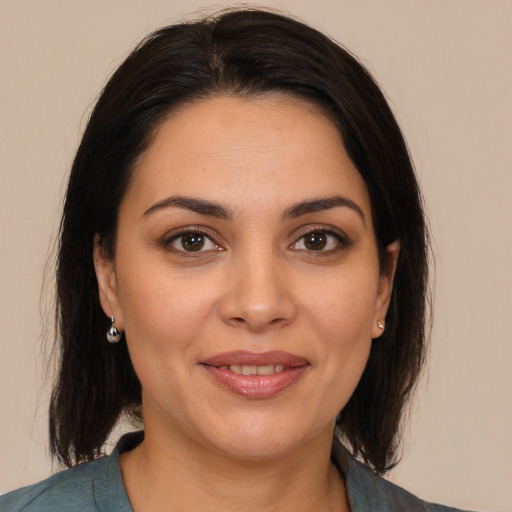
98 487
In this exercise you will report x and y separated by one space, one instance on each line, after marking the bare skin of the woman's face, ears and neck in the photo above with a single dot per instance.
255 285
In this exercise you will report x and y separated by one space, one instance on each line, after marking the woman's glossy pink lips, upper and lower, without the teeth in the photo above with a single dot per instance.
256 386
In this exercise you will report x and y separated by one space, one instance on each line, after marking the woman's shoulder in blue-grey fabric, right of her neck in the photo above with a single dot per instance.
368 491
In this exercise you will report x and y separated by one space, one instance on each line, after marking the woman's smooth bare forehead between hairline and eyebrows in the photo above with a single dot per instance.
240 151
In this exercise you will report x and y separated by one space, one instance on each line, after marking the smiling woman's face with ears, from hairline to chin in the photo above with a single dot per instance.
246 275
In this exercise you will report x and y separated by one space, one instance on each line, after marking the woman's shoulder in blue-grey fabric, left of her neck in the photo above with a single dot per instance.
89 487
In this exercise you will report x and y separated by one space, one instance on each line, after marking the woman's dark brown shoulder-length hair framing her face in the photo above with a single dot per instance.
237 53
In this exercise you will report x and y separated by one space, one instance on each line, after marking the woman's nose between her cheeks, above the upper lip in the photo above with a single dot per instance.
258 295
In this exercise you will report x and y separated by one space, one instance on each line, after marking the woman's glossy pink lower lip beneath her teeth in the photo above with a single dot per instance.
257 386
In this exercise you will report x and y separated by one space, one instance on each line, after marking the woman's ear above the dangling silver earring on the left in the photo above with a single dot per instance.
107 287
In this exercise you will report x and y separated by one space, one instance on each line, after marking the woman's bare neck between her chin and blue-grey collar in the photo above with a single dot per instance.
160 474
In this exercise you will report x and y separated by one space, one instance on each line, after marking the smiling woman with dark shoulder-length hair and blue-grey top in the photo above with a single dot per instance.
243 255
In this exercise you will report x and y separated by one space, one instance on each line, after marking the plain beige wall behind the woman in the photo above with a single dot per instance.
446 68
